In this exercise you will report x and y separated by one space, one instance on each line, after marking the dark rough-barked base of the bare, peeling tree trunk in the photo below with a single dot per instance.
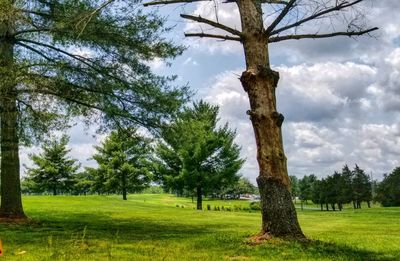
279 217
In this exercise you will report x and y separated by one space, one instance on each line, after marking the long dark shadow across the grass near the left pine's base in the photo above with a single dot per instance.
103 227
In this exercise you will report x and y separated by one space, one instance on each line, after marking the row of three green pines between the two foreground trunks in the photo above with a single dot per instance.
191 156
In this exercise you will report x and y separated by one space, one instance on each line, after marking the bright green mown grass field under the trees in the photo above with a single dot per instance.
157 227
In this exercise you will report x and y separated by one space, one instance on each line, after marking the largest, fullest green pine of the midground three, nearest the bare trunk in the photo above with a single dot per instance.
195 154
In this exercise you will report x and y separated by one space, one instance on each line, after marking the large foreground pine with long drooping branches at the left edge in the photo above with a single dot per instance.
66 58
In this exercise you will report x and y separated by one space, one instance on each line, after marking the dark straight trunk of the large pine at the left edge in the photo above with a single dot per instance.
11 203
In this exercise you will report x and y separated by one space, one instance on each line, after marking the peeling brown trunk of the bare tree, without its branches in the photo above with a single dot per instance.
279 217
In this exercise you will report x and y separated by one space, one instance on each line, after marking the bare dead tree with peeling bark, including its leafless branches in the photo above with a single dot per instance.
287 20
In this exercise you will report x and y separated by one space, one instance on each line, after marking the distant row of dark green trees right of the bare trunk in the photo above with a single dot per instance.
347 187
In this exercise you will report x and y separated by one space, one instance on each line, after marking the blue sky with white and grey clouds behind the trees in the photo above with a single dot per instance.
340 97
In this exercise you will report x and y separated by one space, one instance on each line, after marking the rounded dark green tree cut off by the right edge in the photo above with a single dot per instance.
388 191
